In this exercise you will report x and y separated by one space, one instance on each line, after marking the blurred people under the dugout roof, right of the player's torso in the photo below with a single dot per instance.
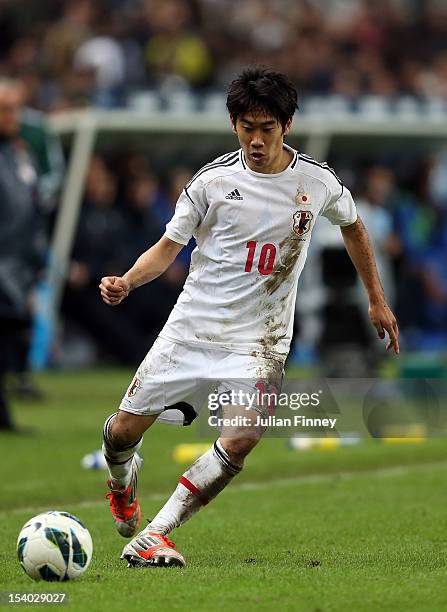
403 203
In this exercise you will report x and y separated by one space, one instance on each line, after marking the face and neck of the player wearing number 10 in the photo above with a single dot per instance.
261 138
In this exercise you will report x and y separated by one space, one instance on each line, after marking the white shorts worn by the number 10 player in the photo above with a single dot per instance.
176 379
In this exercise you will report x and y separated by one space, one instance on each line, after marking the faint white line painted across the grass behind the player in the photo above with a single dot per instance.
398 470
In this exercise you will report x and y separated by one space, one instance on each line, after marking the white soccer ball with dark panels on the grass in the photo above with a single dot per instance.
54 546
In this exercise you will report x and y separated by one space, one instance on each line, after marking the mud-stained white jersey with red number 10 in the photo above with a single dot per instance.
252 232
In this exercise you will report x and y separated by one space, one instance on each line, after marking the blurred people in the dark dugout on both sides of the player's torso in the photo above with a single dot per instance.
403 203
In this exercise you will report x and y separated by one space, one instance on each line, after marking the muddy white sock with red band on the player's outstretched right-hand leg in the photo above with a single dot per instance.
207 477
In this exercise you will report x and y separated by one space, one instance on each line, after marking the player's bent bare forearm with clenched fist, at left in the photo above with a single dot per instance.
151 264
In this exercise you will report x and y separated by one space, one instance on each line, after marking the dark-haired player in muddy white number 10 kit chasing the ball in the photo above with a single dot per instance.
252 213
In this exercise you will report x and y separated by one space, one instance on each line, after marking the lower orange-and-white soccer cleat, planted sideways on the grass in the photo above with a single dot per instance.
152 549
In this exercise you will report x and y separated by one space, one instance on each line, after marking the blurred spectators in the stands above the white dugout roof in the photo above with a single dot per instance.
78 52
